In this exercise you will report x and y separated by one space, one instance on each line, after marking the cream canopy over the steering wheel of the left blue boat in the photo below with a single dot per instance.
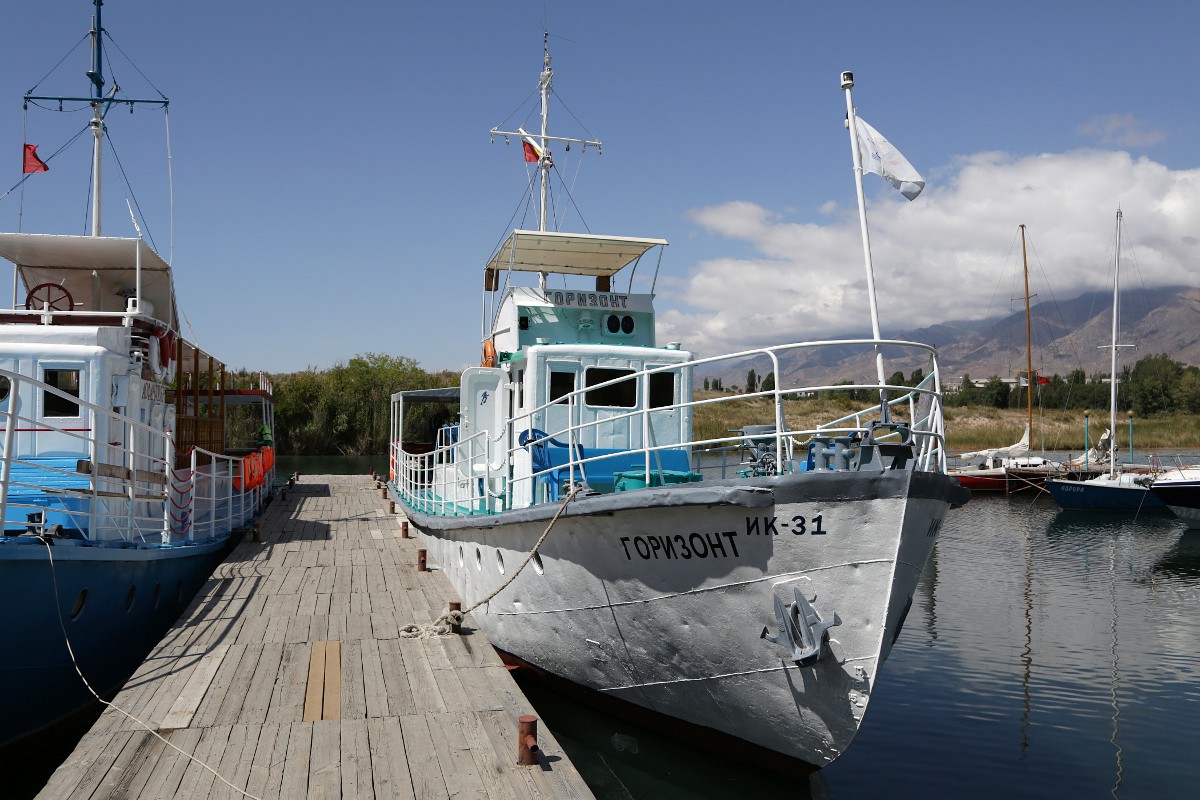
99 272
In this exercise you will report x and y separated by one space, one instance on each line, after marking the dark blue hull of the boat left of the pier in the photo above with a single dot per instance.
116 604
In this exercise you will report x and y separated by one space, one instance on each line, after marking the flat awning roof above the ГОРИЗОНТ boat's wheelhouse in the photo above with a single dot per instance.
532 251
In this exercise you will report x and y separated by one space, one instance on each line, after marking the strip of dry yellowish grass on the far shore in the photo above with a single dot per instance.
974 428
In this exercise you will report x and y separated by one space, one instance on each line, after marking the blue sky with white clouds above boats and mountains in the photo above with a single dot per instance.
335 191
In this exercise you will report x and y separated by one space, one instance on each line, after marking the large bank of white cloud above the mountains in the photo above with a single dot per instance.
939 258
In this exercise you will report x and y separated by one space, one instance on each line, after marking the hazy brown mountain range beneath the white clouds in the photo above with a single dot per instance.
1066 336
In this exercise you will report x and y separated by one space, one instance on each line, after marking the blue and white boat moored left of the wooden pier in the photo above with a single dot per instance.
122 480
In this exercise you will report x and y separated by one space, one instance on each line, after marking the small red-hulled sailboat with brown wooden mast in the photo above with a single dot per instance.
1011 470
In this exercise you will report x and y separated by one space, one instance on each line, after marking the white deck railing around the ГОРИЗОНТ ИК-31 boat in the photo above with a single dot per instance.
488 473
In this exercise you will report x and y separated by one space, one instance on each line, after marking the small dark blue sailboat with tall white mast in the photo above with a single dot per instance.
1118 490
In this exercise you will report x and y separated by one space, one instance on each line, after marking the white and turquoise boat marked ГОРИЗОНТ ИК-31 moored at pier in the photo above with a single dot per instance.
598 539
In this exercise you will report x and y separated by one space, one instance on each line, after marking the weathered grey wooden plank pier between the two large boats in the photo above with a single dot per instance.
290 677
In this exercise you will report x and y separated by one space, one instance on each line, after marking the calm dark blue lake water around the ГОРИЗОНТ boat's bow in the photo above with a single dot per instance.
1048 655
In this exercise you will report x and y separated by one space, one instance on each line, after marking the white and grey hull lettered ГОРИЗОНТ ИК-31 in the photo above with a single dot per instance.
661 598
